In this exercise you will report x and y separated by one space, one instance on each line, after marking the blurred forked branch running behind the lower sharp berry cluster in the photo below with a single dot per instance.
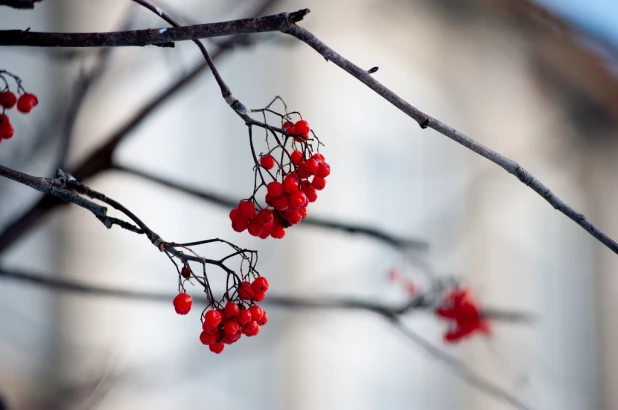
391 313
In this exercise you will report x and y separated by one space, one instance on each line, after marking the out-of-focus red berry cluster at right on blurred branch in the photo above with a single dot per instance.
463 314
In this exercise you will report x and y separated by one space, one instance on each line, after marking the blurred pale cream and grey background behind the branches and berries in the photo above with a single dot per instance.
536 81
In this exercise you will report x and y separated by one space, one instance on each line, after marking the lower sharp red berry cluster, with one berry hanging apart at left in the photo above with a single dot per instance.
226 325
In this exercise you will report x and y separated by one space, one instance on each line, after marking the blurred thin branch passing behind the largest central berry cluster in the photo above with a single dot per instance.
229 203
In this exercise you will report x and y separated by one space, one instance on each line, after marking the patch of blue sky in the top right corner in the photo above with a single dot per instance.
599 17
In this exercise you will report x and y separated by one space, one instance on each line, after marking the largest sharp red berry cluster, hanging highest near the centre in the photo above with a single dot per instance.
298 177
